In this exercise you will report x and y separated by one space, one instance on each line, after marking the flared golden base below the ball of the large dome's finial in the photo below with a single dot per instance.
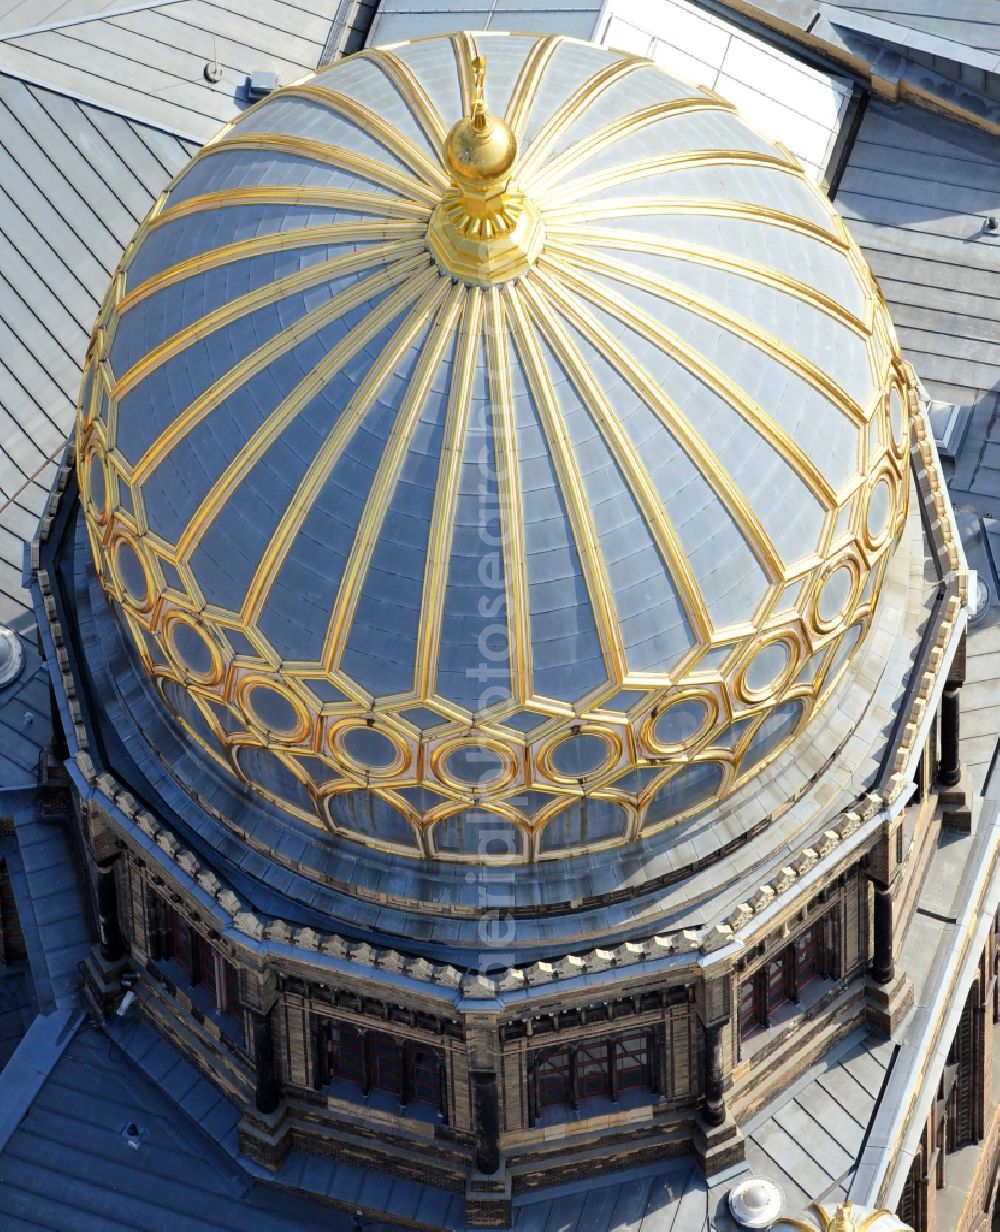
486 247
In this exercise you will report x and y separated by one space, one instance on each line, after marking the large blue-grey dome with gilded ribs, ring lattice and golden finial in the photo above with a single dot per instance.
555 495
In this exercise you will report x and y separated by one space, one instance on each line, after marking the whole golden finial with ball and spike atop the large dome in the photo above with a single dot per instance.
485 231
